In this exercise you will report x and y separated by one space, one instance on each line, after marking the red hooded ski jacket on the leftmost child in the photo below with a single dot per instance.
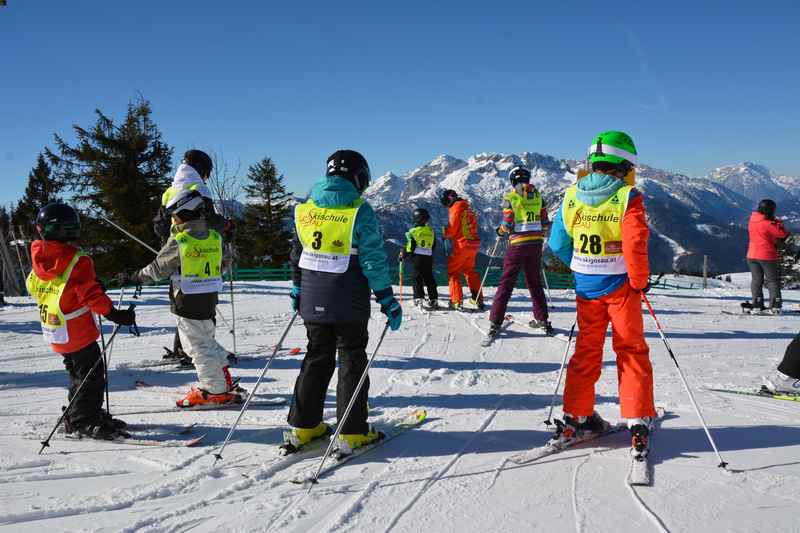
50 259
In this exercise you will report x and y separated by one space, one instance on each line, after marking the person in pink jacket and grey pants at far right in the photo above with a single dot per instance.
762 257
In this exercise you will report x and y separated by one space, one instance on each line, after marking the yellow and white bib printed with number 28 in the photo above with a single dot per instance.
596 232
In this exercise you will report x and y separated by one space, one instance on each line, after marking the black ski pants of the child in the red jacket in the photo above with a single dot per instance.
88 405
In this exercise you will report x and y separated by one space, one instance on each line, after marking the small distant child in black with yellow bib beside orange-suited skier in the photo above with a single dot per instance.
420 245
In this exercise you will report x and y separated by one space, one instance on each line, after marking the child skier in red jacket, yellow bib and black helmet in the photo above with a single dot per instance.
64 285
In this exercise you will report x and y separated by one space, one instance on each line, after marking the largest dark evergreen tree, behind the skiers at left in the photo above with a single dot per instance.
119 170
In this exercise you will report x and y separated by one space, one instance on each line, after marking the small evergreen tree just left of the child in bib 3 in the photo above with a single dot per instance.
267 240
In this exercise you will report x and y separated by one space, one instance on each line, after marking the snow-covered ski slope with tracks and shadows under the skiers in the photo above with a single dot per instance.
450 474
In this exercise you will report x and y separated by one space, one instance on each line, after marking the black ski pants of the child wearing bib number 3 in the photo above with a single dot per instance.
350 339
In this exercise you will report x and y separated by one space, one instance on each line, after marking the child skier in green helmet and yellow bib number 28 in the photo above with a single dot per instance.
601 233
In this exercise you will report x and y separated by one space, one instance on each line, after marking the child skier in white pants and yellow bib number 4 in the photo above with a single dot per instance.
192 259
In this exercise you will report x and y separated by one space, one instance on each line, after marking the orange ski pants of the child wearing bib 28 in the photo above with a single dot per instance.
623 309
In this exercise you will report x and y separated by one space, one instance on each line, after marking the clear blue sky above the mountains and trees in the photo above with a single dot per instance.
697 84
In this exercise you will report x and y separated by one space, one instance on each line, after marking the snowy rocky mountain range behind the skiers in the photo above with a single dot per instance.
688 217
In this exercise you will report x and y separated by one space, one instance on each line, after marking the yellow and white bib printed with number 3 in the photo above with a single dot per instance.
326 235
